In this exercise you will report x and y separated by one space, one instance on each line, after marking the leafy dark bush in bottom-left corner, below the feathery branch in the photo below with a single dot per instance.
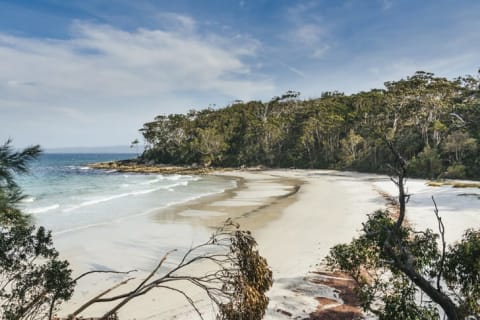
32 278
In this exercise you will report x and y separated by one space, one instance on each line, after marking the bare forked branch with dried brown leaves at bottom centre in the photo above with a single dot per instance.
236 282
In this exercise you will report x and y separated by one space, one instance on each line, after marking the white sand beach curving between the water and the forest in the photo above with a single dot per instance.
296 216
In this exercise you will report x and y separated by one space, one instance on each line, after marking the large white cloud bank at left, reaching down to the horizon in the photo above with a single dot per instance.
100 85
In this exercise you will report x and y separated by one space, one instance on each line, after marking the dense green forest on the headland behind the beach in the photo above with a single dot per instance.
433 121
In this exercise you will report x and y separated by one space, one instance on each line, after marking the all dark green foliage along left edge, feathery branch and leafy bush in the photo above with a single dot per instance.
32 278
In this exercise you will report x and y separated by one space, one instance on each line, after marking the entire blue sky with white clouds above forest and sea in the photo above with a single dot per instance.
91 72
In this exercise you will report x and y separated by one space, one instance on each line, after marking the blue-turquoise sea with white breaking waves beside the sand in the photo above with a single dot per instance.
65 195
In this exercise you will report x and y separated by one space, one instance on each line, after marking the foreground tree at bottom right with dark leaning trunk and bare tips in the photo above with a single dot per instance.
396 266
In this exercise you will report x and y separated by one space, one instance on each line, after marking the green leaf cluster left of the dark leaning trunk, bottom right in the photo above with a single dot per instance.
382 288
